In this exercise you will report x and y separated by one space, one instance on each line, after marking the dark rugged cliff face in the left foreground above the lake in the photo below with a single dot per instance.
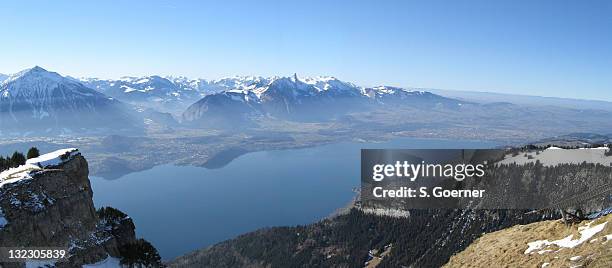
53 207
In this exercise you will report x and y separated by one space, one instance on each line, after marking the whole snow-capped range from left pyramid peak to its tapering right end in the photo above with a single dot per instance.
36 100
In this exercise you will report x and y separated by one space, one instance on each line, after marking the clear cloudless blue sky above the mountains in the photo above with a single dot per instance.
551 48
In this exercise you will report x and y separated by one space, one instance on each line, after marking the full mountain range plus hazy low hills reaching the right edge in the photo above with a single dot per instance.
36 101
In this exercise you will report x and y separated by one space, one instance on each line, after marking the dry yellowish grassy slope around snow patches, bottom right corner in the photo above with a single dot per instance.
506 248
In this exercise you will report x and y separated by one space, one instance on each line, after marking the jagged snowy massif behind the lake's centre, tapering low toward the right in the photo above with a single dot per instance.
308 99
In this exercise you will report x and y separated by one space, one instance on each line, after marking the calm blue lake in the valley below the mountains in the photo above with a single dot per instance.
181 208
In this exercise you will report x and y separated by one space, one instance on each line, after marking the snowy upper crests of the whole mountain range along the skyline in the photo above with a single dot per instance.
36 82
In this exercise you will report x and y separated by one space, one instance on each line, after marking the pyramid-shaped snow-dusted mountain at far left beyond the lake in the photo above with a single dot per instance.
38 100
